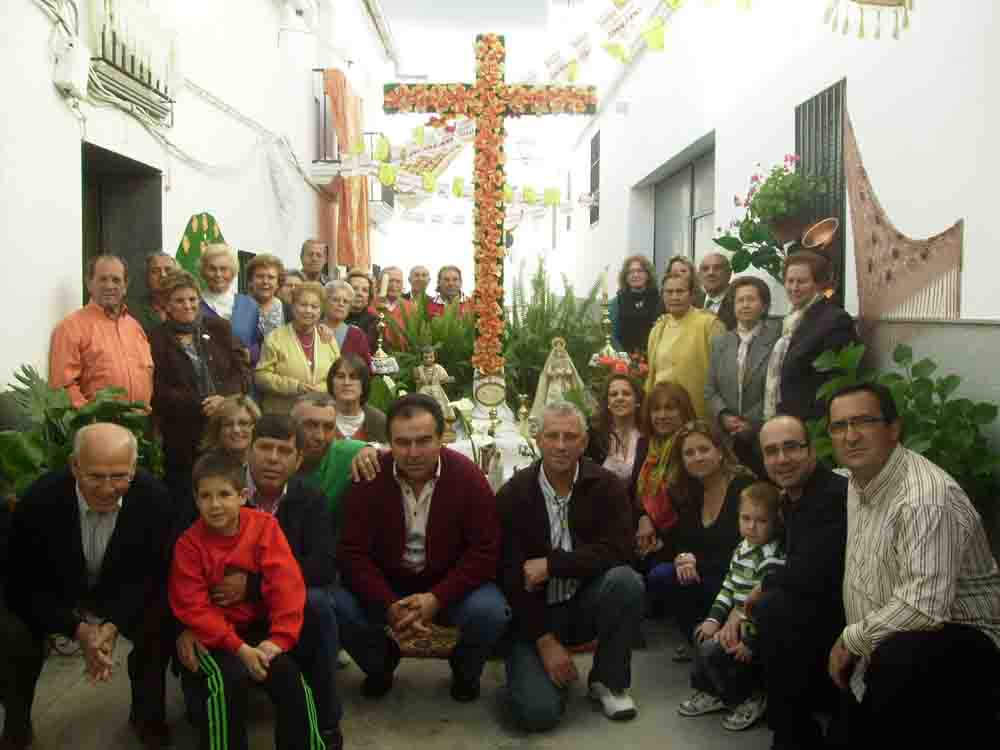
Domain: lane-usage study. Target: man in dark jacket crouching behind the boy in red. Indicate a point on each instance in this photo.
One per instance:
(303, 513)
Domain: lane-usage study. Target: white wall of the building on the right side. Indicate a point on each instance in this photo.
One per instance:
(921, 108)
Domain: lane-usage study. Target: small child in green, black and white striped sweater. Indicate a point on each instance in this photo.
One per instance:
(725, 674)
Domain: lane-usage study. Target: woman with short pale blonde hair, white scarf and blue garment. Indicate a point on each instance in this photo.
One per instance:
(219, 298)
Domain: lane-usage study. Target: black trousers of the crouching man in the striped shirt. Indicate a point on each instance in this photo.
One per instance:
(921, 686)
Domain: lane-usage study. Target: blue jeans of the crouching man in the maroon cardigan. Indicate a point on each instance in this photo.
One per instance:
(481, 617)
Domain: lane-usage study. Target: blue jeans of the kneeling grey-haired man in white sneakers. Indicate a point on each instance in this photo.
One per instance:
(608, 608)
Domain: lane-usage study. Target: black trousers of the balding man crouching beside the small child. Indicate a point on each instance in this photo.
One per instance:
(795, 636)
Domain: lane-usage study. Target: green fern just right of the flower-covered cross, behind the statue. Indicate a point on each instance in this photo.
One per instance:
(532, 324)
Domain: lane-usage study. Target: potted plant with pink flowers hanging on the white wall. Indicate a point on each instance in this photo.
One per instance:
(776, 206)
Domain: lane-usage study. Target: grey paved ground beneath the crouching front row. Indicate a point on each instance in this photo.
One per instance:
(417, 715)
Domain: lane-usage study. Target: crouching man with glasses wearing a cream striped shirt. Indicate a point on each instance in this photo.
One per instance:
(921, 588)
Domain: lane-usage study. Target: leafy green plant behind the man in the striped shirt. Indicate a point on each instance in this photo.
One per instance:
(945, 429)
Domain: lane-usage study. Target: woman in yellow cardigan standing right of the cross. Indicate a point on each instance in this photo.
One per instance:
(680, 344)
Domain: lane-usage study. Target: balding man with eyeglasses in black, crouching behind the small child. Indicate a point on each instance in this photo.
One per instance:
(798, 608)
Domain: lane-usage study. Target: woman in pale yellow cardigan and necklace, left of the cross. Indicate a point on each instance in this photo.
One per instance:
(295, 358)
